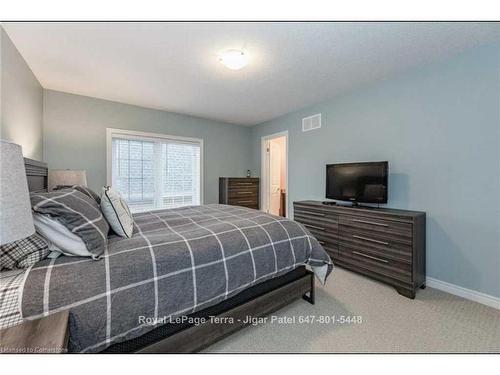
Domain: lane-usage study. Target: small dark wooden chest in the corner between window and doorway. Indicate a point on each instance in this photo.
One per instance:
(239, 191)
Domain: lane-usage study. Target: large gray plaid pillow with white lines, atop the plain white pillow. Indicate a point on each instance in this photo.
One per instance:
(77, 212)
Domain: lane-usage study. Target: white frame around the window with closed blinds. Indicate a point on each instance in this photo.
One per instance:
(146, 136)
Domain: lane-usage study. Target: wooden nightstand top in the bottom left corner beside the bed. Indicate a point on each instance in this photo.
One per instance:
(44, 335)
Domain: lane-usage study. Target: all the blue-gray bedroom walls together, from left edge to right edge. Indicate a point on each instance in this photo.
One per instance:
(439, 127)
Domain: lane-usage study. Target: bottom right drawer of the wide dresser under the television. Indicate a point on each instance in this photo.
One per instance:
(365, 259)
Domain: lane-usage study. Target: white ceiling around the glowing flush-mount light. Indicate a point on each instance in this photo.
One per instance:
(174, 66)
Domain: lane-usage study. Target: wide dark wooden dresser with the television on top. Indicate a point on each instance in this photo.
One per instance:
(386, 244)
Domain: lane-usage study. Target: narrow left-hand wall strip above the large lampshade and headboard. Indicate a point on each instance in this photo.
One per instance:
(21, 101)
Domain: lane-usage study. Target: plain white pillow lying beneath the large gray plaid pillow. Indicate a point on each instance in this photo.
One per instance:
(59, 237)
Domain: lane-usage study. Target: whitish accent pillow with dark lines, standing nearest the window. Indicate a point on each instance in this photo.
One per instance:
(116, 211)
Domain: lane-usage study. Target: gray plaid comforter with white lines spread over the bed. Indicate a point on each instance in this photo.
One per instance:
(177, 262)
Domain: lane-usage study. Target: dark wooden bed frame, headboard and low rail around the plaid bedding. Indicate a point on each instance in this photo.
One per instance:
(229, 316)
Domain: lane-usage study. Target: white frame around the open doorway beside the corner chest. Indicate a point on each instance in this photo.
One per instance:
(264, 171)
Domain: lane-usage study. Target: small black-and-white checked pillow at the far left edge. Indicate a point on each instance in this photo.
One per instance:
(23, 253)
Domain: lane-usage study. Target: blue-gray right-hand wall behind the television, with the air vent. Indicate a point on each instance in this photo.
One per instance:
(439, 127)
